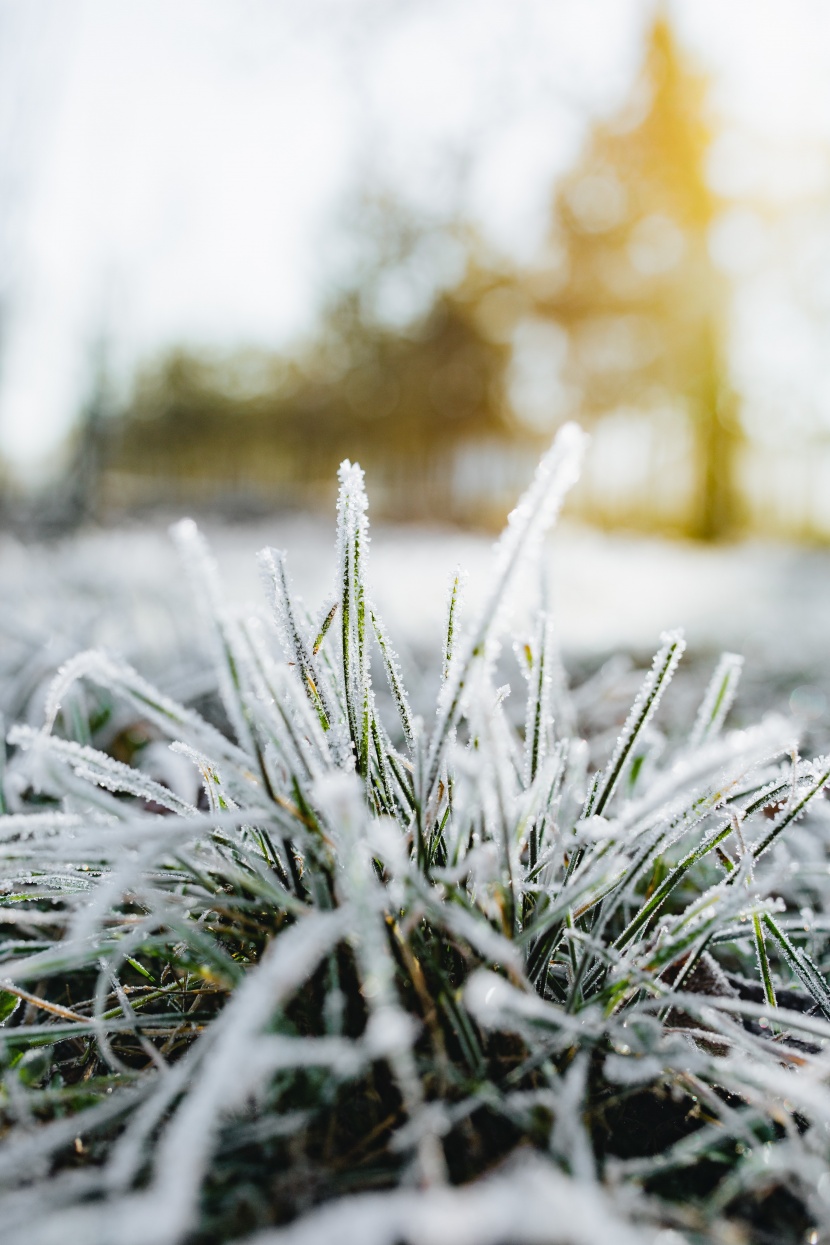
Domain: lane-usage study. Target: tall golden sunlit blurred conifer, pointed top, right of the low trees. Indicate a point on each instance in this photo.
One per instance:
(632, 281)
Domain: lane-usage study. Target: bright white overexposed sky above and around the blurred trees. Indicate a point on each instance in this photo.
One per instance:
(177, 170)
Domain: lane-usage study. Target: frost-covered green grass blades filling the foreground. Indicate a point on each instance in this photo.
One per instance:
(329, 972)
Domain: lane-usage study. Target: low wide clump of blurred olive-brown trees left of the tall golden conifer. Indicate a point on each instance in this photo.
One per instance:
(273, 429)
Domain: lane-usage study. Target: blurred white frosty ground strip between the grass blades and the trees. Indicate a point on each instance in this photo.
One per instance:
(125, 591)
